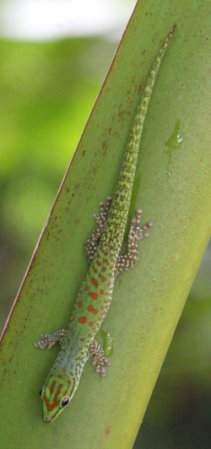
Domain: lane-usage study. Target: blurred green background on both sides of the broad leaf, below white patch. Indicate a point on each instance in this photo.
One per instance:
(47, 89)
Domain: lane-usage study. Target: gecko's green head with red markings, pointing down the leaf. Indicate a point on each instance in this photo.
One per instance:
(56, 394)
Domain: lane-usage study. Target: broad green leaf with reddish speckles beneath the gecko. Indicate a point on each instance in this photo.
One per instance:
(174, 193)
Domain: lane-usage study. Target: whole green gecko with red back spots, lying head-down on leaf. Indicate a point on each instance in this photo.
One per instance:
(95, 294)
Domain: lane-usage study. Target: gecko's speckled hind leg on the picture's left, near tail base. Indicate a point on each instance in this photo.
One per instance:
(101, 218)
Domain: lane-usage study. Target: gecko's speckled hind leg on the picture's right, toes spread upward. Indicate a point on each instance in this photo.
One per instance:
(126, 261)
